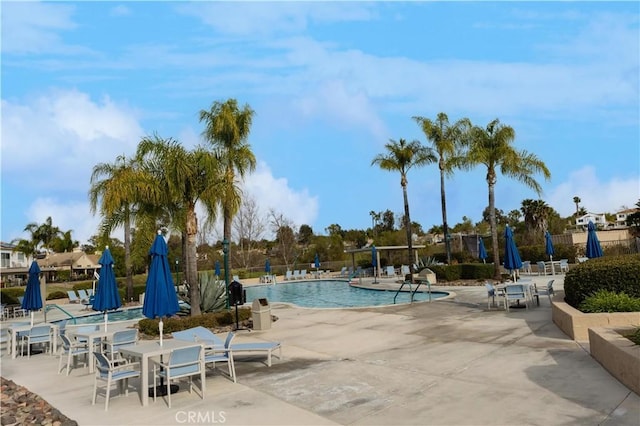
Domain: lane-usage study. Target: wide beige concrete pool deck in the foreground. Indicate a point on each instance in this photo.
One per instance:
(446, 362)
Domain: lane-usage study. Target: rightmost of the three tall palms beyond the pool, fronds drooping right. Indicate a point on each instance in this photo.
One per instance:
(492, 147)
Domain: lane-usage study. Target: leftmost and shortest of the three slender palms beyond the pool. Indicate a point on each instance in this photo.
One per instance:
(401, 157)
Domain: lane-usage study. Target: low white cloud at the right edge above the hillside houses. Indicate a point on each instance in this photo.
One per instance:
(596, 196)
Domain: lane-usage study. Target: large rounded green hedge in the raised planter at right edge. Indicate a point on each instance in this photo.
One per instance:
(618, 274)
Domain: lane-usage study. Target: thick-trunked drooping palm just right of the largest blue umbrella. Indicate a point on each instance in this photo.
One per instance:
(183, 179)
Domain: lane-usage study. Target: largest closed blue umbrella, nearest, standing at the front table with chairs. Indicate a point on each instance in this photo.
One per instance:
(160, 298)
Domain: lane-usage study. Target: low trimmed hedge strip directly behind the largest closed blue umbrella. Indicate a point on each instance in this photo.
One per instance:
(210, 320)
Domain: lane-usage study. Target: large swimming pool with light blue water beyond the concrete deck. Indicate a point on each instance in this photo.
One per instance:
(332, 294)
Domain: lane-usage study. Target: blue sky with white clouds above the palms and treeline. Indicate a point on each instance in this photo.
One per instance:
(330, 84)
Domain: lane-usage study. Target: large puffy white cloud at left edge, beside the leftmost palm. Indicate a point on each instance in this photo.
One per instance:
(61, 135)
